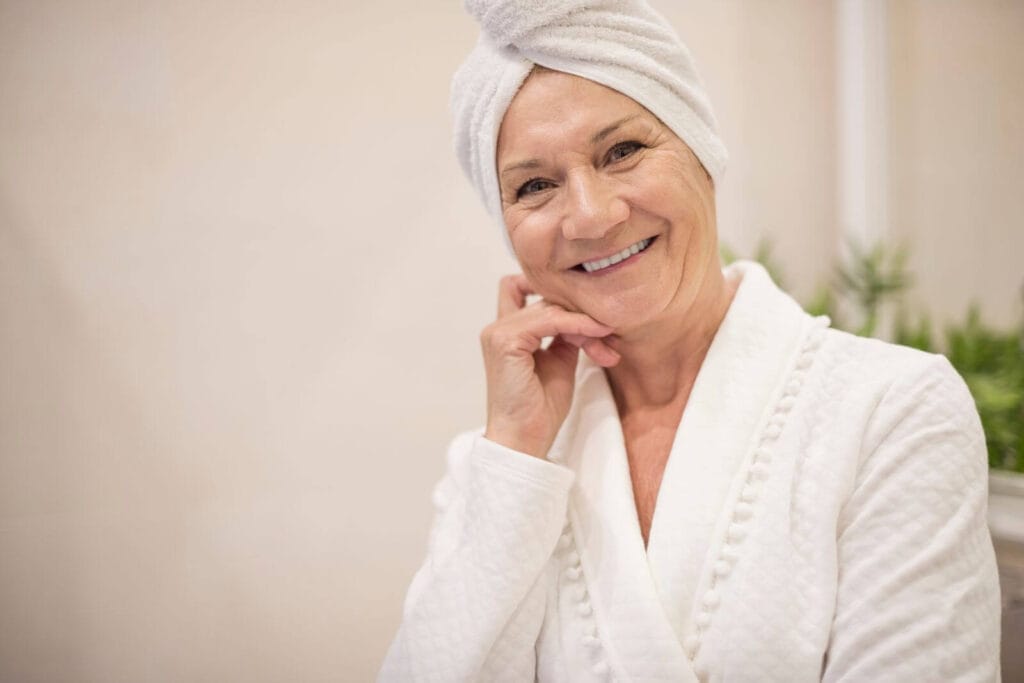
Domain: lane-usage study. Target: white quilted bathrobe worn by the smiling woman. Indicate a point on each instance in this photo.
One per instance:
(822, 518)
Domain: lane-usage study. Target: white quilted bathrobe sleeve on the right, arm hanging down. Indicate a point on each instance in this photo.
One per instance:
(918, 596)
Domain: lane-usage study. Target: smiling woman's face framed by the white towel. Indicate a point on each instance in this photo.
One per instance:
(587, 174)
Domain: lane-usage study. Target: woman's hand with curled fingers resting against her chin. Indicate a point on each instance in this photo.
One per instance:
(530, 390)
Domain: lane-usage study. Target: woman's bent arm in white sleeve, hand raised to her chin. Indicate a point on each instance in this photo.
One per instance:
(476, 608)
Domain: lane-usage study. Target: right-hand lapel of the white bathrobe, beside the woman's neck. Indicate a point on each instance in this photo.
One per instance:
(740, 382)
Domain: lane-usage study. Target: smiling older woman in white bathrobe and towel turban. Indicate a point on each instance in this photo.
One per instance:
(718, 487)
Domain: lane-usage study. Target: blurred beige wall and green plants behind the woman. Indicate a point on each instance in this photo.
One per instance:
(242, 281)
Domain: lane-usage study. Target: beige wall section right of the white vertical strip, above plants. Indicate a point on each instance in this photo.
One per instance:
(957, 160)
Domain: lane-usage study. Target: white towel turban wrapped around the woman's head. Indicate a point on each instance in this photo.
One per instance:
(623, 45)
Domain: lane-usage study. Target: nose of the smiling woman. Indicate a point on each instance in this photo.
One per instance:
(593, 207)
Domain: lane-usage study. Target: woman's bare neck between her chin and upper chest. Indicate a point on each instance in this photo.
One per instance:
(661, 360)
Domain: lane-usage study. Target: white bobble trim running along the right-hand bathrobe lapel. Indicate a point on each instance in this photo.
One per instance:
(757, 472)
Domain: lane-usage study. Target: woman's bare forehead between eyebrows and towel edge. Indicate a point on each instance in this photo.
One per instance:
(558, 107)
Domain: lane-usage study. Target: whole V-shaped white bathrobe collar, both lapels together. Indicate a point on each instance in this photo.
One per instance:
(644, 601)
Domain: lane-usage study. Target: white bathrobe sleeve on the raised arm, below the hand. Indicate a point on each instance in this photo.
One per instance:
(476, 608)
